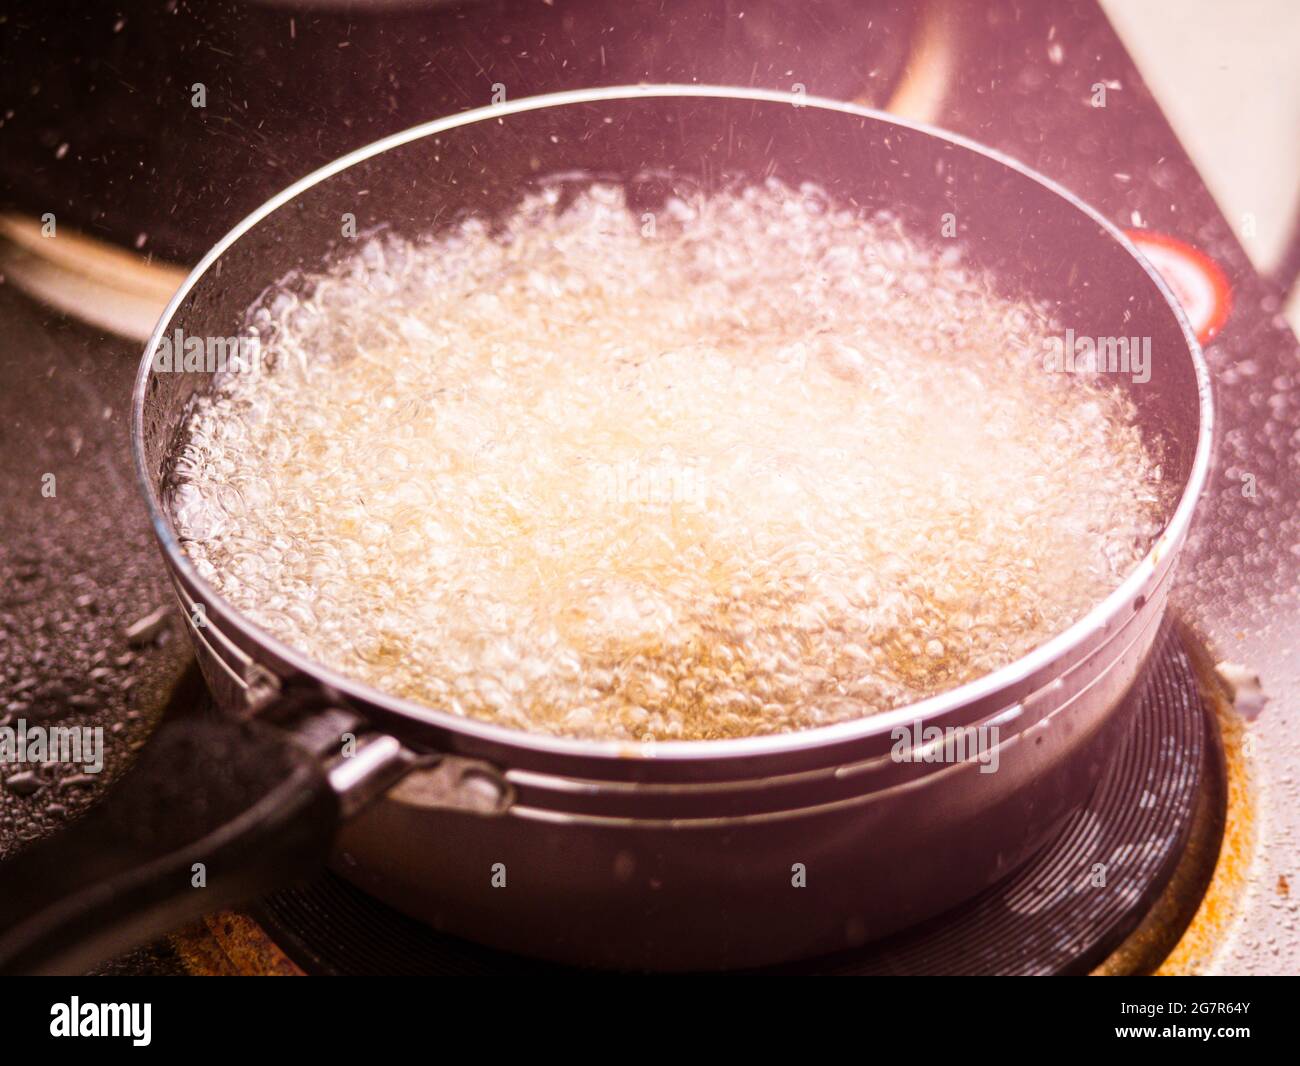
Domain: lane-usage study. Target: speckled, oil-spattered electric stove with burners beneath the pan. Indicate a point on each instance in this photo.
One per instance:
(1197, 822)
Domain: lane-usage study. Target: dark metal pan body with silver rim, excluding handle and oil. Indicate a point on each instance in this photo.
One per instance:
(718, 853)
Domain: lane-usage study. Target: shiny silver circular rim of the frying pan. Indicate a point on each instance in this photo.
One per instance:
(1145, 577)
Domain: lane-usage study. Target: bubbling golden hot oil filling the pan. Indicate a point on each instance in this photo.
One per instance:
(752, 466)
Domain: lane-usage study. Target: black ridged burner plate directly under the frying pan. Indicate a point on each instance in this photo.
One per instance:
(1051, 917)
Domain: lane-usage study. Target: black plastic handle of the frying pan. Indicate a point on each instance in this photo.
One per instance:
(215, 812)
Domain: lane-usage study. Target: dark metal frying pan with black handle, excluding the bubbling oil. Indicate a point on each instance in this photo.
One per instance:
(671, 856)
